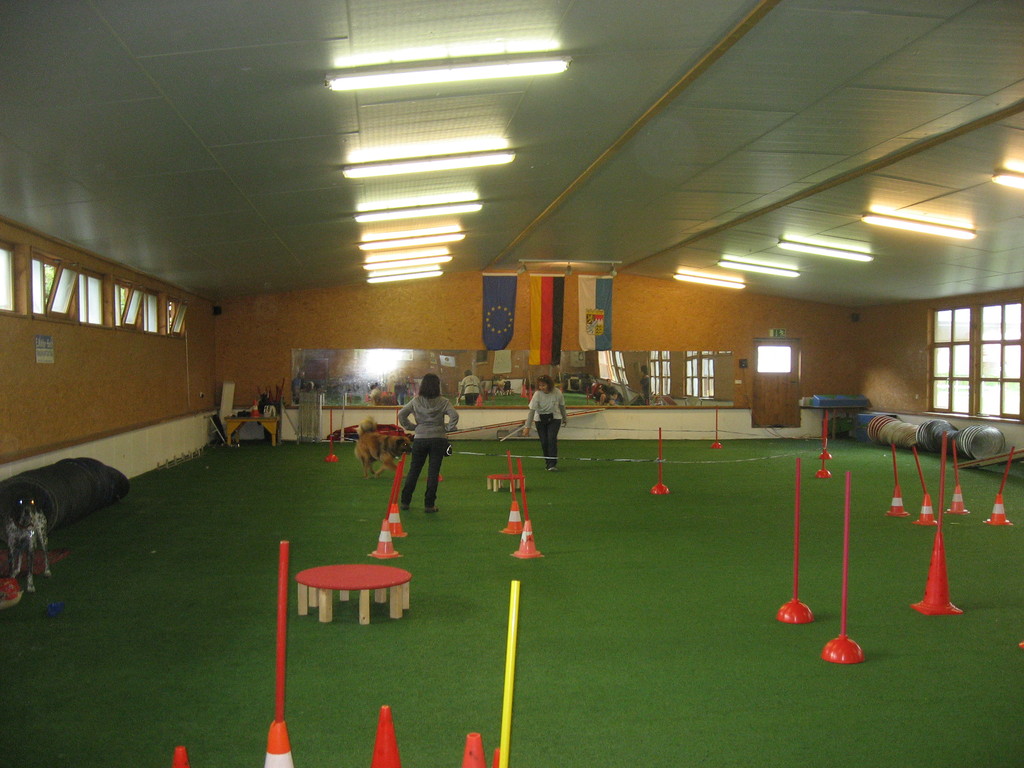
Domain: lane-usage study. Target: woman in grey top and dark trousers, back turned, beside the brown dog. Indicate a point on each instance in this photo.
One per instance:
(434, 418)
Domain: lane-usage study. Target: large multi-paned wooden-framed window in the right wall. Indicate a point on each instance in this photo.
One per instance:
(976, 361)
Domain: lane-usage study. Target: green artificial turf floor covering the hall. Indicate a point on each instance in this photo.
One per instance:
(647, 637)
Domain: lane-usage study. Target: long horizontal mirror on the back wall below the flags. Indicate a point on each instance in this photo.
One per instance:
(391, 377)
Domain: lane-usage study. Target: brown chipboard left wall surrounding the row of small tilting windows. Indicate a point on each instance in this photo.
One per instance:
(103, 380)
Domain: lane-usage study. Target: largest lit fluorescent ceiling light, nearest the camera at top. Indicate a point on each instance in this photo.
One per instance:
(447, 72)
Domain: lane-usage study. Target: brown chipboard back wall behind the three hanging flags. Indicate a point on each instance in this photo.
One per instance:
(255, 335)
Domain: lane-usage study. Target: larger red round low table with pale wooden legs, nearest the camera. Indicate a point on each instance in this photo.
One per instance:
(318, 585)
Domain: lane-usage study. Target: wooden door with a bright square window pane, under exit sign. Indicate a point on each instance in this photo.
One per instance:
(777, 383)
